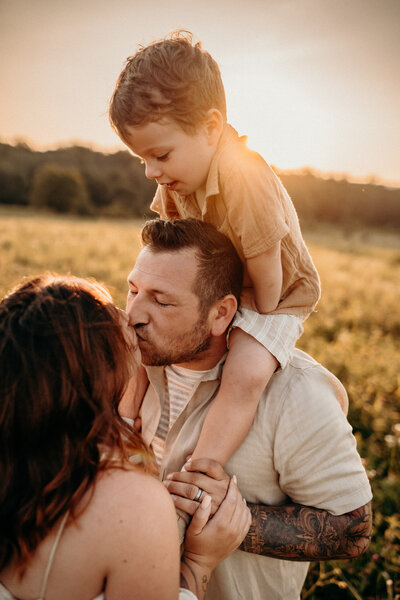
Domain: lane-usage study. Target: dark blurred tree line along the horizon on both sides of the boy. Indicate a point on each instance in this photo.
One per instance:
(78, 180)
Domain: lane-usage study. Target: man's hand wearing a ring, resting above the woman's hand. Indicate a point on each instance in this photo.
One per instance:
(203, 473)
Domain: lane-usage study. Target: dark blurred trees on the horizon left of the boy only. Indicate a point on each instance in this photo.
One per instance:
(74, 180)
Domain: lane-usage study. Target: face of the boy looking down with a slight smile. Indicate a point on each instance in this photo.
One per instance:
(172, 157)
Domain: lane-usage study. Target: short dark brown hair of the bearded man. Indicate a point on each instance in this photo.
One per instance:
(220, 270)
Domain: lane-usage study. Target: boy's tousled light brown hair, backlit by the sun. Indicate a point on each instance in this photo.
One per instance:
(172, 78)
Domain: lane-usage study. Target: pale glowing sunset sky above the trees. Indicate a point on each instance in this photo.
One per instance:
(311, 82)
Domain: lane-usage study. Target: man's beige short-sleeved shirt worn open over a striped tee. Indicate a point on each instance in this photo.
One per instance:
(300, 447)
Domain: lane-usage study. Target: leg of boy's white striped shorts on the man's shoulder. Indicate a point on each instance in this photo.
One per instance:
(277, 333)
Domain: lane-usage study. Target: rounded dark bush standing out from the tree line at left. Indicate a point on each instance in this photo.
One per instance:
(61, 189)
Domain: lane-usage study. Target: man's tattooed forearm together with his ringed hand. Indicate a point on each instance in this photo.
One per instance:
(290, 531)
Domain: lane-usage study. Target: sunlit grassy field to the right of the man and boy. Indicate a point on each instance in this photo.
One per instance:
(355, 333)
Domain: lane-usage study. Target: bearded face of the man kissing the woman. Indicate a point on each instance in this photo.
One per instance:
(165, 311)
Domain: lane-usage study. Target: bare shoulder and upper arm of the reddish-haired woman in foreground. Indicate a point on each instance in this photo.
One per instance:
(133, 513)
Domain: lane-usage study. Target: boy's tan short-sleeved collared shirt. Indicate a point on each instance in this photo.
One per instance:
(246, 201)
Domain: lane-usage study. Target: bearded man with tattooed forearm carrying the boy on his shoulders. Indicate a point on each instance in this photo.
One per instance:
(298, 467)
